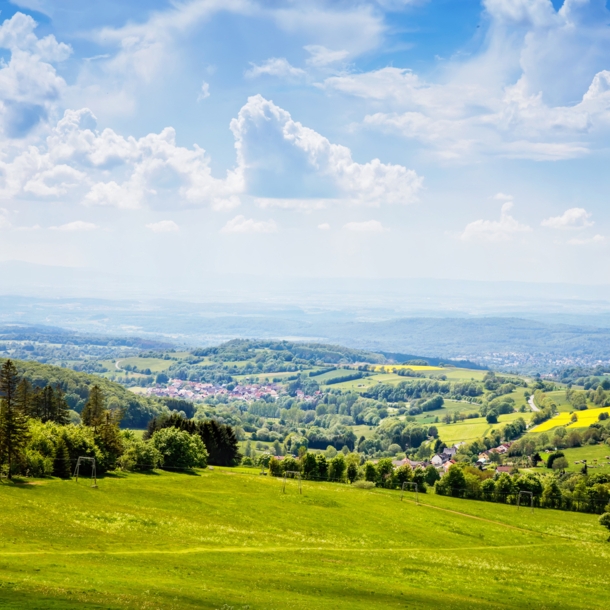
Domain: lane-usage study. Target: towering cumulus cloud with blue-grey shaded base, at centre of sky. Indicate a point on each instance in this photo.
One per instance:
(282, 159)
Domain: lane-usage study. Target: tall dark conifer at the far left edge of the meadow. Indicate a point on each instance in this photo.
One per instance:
(13, 423)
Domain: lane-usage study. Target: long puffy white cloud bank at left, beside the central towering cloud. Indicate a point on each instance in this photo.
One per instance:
(103, 168)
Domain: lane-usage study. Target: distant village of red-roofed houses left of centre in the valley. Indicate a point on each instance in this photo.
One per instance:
(193, 390)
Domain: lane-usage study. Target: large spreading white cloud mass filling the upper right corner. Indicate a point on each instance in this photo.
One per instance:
(539, 88)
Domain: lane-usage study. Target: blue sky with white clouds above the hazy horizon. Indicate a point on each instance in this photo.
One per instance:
(387, 138)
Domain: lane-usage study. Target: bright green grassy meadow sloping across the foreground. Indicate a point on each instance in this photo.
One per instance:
(178, 541)
